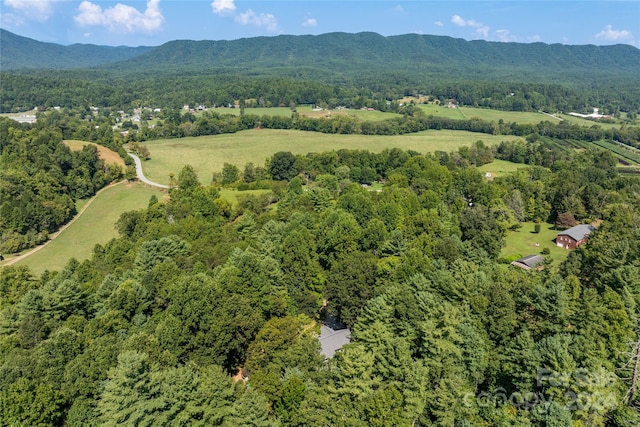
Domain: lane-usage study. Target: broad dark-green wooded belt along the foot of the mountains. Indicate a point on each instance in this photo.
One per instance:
(74, 89)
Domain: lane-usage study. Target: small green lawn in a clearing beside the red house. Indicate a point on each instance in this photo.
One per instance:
(523, 242)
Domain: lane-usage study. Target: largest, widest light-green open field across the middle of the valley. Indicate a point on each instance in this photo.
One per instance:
(207, 154)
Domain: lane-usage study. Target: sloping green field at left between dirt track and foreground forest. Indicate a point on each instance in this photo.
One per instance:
(95, 225)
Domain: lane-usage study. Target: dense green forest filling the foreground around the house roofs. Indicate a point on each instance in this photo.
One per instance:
(151, 328)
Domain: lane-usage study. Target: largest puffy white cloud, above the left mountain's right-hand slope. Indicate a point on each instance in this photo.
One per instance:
(121, 17)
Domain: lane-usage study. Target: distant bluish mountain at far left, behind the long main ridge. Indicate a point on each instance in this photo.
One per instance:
(21, 53)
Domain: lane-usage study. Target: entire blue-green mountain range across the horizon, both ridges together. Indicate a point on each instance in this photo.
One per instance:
(335, 56)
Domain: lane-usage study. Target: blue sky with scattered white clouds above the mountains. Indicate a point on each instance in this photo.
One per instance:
(153, 22)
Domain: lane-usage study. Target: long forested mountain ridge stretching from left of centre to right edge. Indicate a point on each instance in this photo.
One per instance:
(366, 52)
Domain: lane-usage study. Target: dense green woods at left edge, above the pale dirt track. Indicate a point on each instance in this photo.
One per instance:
(40, 180)
